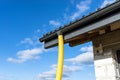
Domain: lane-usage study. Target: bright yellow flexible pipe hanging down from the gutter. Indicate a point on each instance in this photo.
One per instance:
(60, 57)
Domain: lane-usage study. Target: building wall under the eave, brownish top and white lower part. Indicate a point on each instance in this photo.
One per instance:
(104, 55)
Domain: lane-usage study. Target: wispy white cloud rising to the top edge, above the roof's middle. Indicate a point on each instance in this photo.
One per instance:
(81, 7)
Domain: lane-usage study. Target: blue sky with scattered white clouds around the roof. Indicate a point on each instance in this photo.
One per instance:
(23, 22)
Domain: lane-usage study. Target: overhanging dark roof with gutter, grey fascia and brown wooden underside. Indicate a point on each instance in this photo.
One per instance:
(84, 28)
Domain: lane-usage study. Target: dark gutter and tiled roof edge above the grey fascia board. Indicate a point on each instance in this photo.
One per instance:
(88, 18)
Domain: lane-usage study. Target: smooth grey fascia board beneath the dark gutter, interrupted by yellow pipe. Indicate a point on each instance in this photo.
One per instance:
(102, 23)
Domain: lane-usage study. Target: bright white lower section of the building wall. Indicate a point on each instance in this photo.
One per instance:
(104, 69)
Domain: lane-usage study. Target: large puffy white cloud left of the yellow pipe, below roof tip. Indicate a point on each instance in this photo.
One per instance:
(25, 55)
